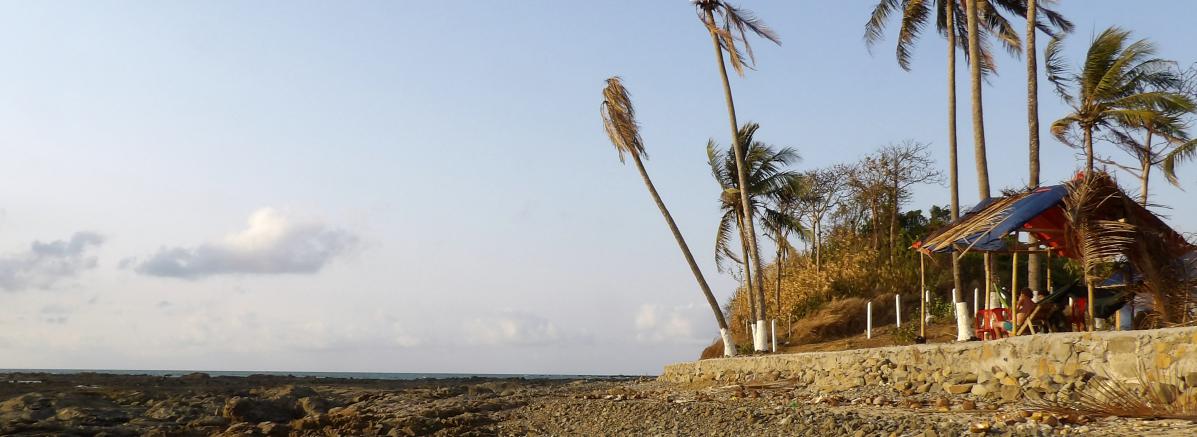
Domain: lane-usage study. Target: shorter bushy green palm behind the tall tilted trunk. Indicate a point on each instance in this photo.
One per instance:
(770, 186)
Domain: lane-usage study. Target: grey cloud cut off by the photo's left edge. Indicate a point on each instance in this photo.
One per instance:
(47, 264)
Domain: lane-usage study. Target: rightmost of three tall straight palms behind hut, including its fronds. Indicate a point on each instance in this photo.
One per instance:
(1034, 10)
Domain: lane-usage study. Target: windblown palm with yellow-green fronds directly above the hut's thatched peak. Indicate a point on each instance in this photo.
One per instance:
(1121, 84)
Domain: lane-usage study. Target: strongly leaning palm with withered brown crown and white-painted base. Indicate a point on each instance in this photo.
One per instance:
(619, 120)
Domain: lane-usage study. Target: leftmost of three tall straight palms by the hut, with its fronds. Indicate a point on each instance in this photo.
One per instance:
(949, 23)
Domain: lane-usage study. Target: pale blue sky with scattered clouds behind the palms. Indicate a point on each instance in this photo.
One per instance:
(427, 187)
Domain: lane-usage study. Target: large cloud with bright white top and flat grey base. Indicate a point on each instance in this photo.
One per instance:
(272, 244)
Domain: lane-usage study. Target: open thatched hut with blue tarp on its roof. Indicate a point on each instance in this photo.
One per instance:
(1091, 221)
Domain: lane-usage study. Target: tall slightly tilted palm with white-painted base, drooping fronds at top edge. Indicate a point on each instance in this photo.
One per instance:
(732, 28)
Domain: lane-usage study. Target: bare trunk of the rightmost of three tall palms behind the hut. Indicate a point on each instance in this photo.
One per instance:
(1035, 269)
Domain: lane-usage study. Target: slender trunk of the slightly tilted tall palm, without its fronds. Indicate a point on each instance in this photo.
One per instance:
(745, 203)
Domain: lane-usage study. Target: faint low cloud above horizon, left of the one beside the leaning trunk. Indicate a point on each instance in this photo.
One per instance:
(517, 329)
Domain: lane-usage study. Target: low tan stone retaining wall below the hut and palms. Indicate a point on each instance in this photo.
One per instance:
(1010, 369)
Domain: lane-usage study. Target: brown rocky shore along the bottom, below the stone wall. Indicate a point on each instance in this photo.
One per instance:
(199, 405)
